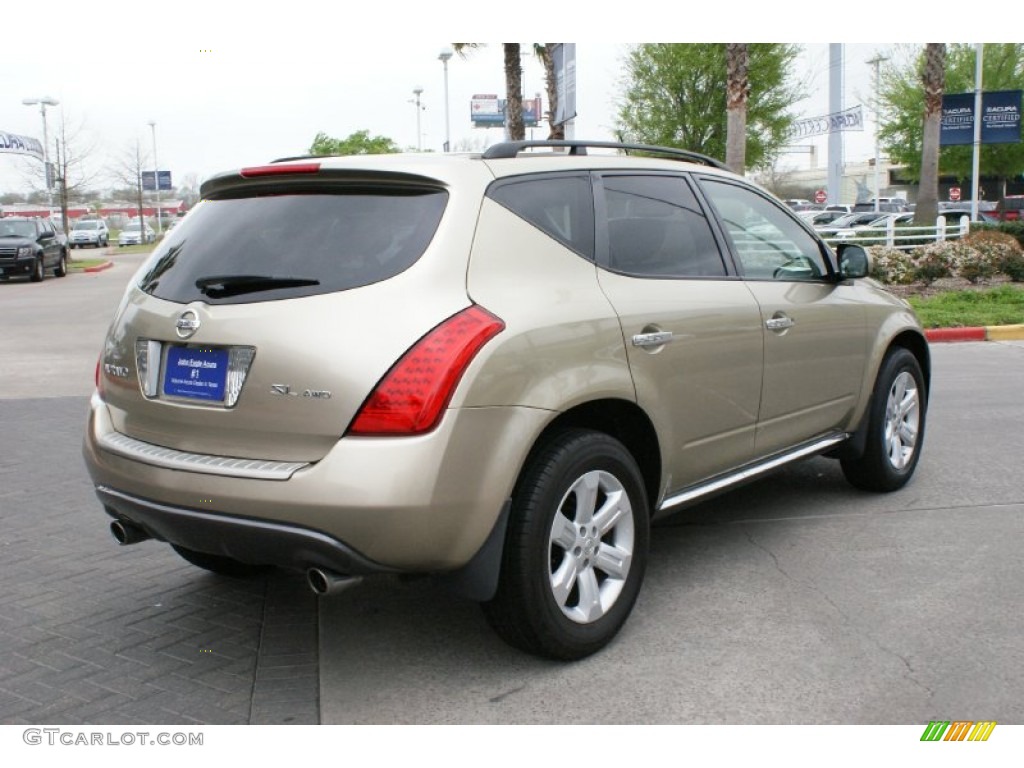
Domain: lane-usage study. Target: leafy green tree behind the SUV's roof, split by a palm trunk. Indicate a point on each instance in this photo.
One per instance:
(675, 96)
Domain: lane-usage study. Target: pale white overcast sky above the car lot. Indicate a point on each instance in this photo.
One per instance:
(242, 88)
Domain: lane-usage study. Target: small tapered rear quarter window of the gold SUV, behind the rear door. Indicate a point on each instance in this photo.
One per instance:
(562, 207)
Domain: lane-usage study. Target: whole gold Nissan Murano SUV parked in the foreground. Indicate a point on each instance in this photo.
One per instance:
(497, 369)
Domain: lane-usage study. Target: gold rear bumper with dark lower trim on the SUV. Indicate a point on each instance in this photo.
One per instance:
(424, 504)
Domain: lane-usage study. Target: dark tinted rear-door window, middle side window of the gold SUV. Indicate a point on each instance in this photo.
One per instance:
(657, 229)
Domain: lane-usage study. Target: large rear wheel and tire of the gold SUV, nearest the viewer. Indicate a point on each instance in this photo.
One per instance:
(576, 550)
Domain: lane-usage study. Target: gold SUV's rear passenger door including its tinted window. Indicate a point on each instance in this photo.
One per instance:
(693, 330)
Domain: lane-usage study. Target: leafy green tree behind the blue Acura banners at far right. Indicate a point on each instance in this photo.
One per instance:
(903, 100)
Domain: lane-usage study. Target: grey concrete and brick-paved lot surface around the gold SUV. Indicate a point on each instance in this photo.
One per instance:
(794, 601)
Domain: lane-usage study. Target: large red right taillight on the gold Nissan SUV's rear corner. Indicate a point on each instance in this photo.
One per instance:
(412, 396)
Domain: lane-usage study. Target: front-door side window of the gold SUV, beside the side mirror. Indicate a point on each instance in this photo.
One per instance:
(770, 244)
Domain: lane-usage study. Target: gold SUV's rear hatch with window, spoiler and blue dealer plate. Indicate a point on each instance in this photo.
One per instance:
(265, 321)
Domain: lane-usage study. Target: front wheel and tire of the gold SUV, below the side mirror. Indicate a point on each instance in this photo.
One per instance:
(897, 426)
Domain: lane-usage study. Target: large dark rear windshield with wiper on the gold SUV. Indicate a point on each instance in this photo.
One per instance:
(244, 250)
